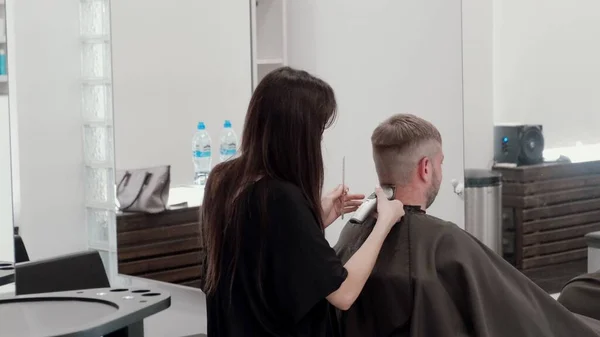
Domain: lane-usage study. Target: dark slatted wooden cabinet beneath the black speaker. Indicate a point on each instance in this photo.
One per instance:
(547, 210)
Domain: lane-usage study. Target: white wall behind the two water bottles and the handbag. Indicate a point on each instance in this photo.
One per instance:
(176, 63)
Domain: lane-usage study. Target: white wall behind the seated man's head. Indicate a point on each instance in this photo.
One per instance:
(382, 58)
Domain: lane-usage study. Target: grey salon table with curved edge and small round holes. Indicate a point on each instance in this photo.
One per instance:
(108, 312)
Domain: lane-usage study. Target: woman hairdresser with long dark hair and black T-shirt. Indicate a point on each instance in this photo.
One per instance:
(270, 271)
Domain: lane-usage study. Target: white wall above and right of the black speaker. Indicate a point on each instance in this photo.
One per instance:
(547, 67)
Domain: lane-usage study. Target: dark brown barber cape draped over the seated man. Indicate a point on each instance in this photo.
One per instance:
(432, 279)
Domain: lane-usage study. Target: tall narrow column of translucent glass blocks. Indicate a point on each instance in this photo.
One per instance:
(98, 136)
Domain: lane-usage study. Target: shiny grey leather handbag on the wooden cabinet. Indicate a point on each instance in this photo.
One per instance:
(144, 190)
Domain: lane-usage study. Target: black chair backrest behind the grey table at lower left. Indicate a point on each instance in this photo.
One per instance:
(78, 271)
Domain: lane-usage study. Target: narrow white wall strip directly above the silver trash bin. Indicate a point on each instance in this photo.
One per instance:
(478, 82)
